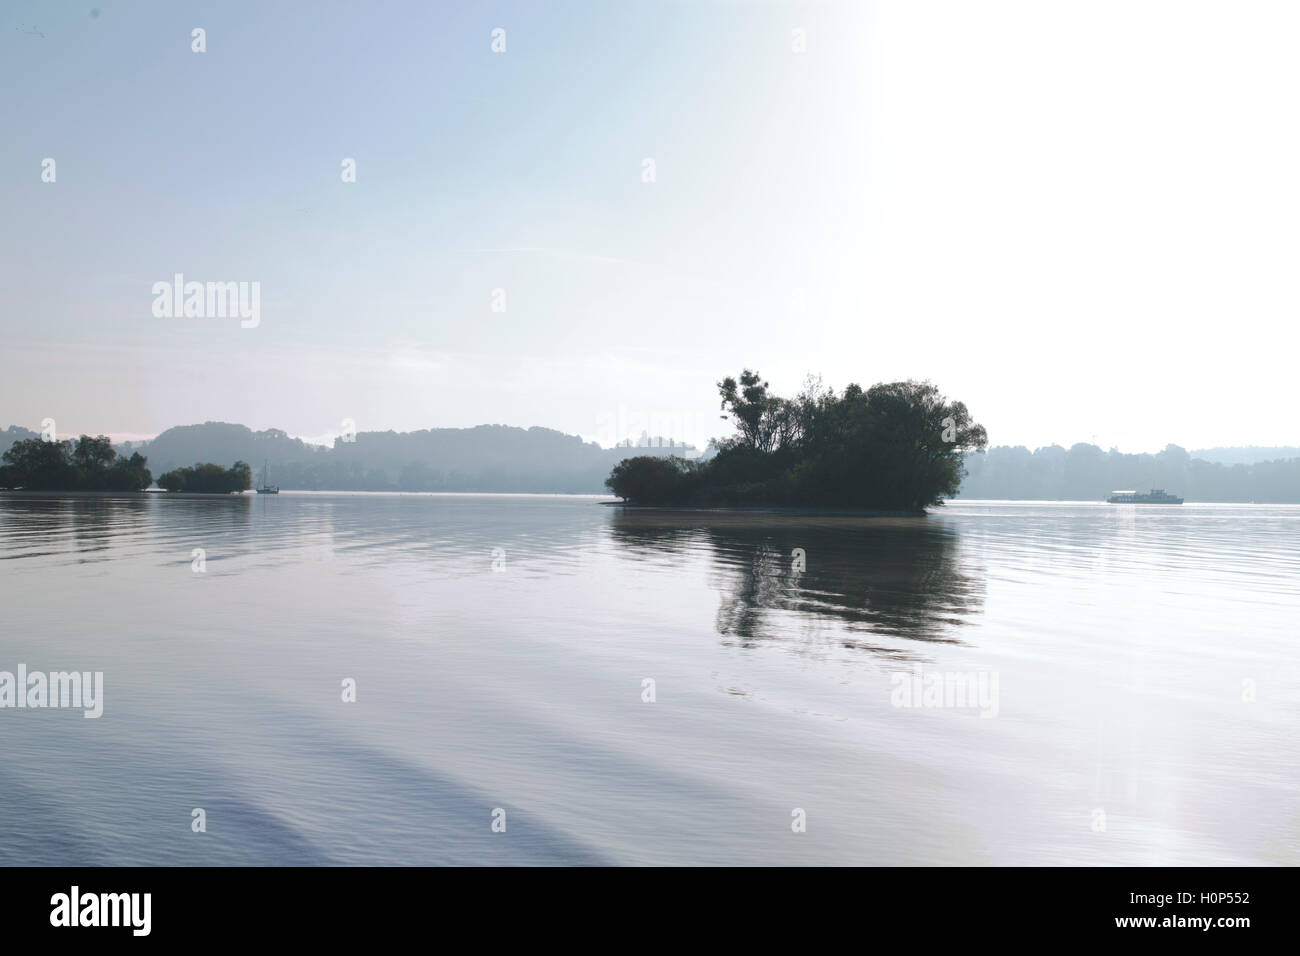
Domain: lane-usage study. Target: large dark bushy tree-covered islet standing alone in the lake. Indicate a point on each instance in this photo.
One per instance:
(895, 447)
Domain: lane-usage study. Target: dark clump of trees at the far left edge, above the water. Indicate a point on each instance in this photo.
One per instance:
(88, 465)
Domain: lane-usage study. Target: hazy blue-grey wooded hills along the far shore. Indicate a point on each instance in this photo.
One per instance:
(504, 458)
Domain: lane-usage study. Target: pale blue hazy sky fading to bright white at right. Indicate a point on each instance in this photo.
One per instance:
(1078, 218)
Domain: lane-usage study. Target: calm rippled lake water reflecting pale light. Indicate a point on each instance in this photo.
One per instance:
(553, 681)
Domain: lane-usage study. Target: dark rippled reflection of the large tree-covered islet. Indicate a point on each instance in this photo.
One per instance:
(868, 582)
